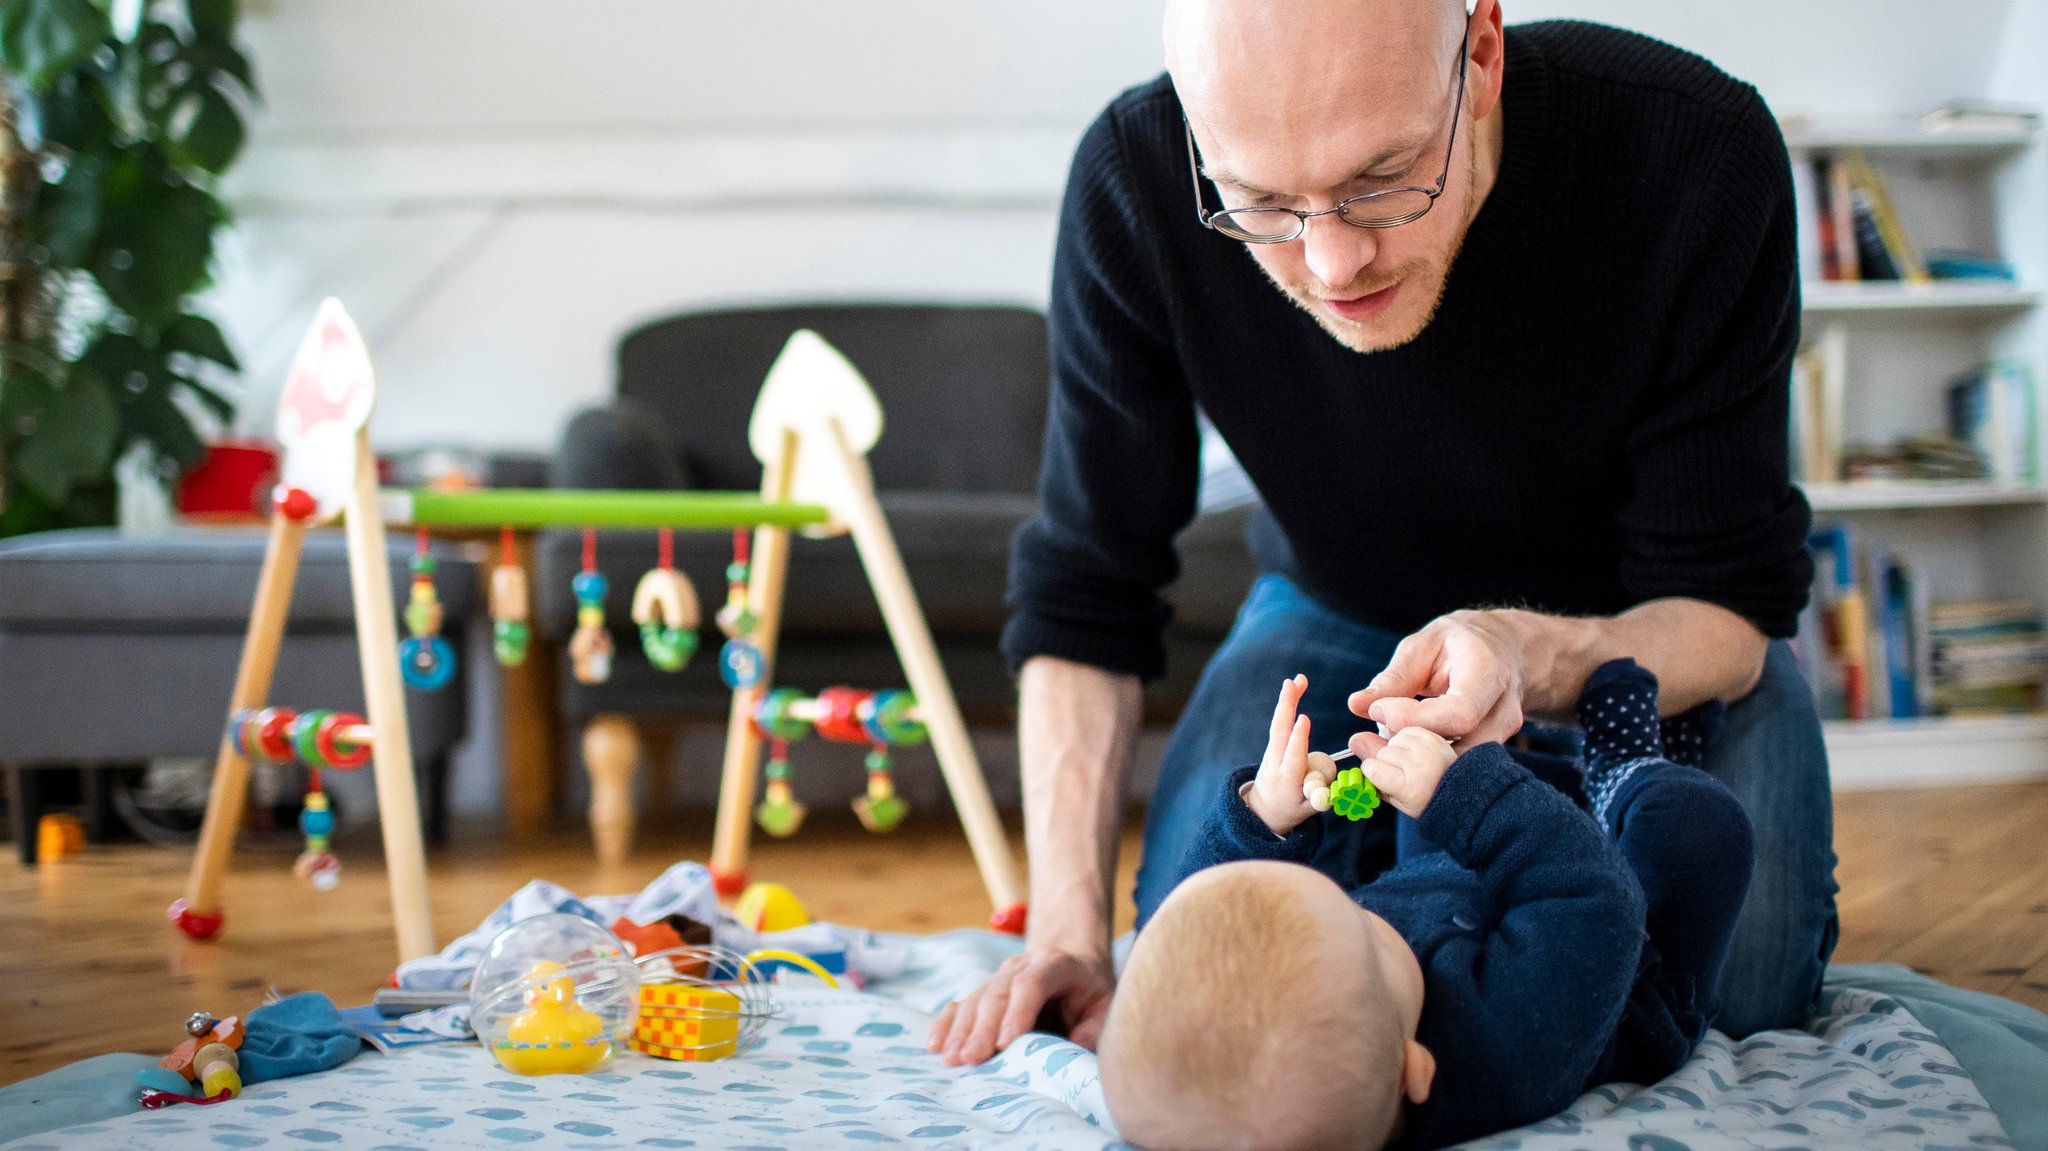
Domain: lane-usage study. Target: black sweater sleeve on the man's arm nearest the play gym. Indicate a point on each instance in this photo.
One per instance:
(1121, 445)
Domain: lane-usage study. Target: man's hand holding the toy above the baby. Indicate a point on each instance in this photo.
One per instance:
(1469, 665)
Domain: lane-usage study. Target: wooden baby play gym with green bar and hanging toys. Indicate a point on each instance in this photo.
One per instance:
(812, 429)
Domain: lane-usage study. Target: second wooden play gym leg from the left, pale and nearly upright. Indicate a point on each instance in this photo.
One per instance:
(398, 802)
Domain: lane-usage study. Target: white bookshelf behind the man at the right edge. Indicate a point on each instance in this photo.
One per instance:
(1983, 191)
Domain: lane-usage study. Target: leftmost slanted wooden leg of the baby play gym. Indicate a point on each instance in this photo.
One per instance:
(198, 914)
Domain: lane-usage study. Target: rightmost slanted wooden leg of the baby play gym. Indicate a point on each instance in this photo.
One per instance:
(929, 683)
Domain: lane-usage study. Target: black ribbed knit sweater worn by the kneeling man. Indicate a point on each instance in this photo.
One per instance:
(1594, 419)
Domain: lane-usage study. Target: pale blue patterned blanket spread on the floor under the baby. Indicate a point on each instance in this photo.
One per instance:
(1893, 1060)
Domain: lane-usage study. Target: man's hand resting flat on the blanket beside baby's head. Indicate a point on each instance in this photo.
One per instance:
(1009, 1005)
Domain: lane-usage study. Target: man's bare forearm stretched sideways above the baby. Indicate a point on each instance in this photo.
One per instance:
(1697, 650)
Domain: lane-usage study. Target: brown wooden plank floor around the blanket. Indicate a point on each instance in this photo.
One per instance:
(1953, 884)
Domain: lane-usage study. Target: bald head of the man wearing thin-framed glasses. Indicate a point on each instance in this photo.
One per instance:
(1308, 103)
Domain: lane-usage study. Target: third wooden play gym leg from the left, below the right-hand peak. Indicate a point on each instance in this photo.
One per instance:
(742, 747)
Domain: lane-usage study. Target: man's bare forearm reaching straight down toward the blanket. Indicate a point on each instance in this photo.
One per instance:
(1076, 736)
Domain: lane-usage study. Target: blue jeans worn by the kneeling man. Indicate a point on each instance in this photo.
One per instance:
(1768, 753)
